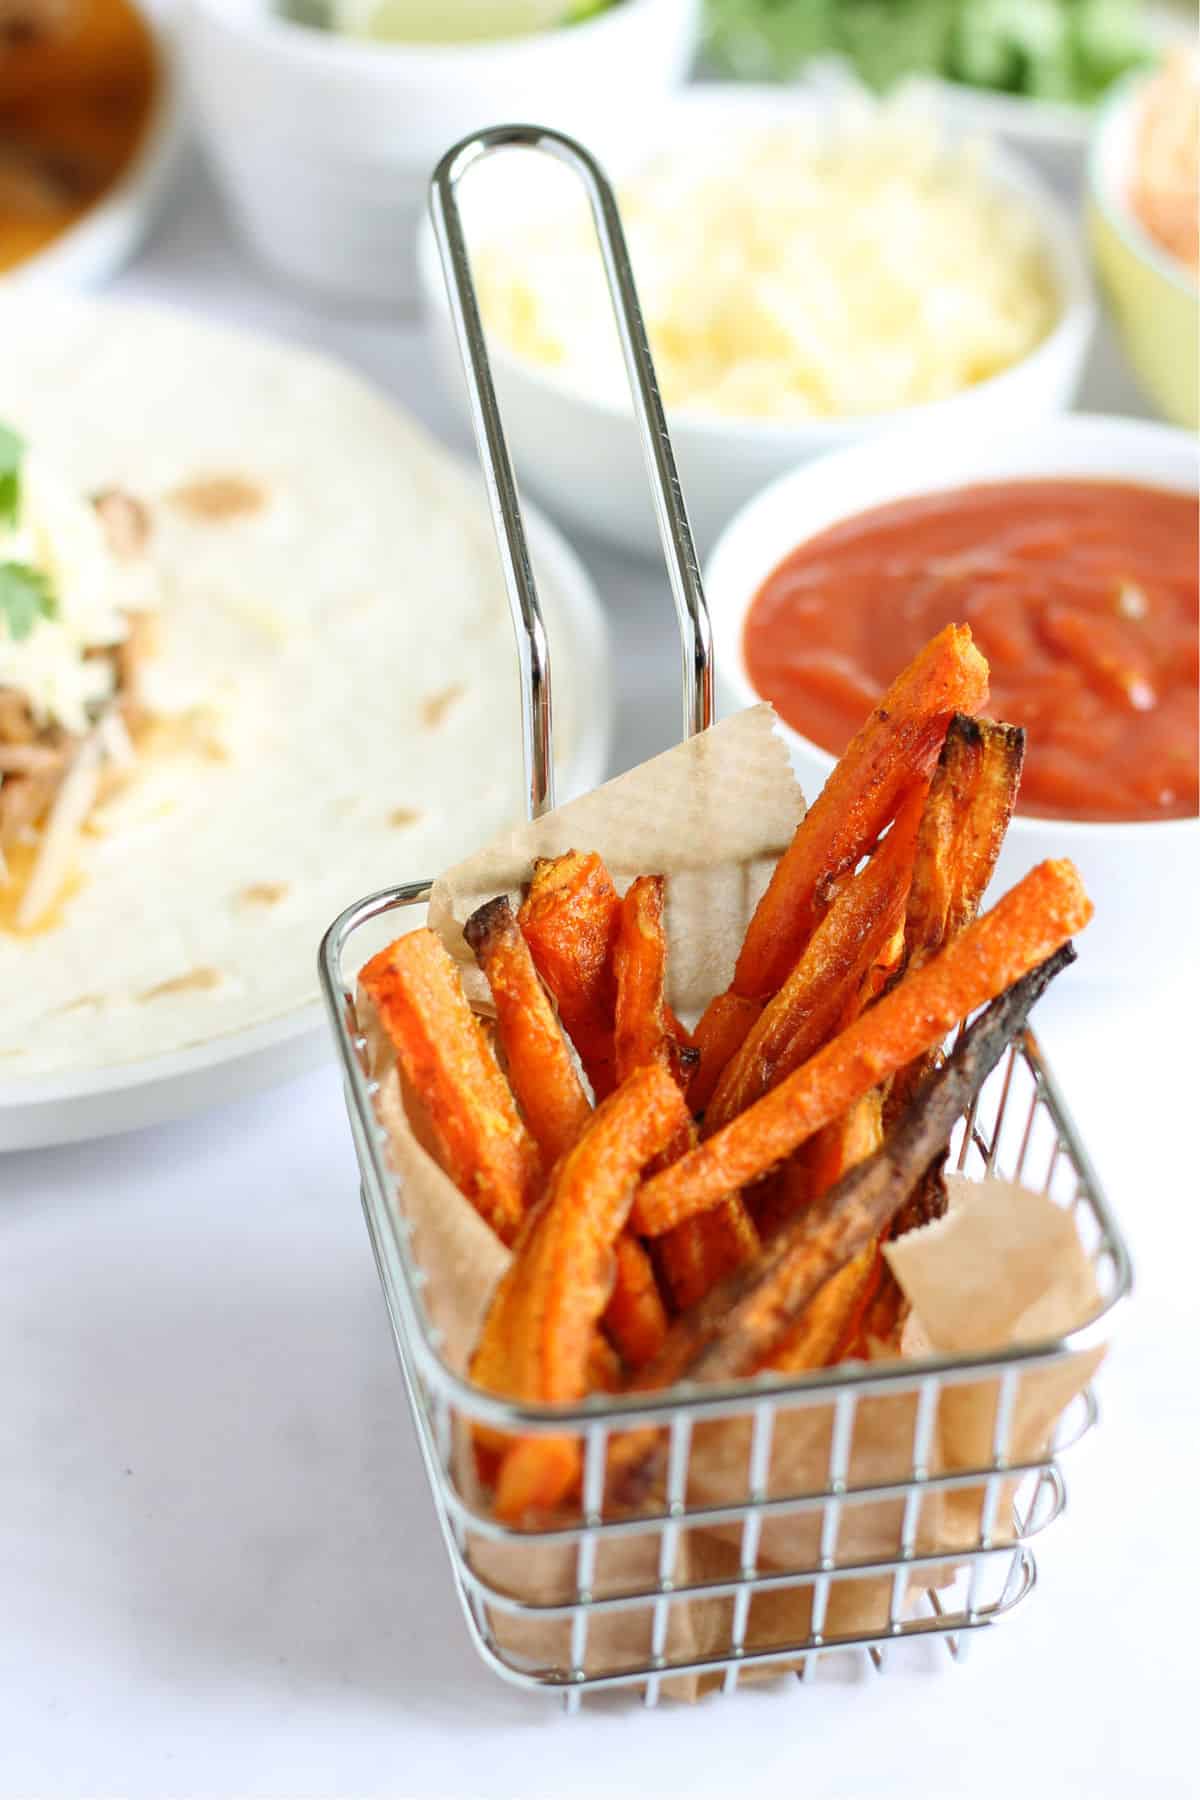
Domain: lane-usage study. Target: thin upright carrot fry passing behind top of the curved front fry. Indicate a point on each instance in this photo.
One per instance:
(703, 1250)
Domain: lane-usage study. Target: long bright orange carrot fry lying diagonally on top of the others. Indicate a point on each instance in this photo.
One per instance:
(1021, 931)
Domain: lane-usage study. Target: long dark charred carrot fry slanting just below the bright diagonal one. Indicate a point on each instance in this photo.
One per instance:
(746, 1318)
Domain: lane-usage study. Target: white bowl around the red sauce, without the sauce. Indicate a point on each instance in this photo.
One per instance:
(1142, 877)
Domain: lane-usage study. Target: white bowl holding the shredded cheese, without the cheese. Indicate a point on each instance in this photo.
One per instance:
(580, 453)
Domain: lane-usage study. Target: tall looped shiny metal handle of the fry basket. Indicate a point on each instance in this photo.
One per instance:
(503, 498)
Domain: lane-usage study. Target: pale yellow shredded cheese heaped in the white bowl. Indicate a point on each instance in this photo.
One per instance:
(801, 273)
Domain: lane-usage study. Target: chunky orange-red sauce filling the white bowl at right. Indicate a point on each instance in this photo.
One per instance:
(1082, 595)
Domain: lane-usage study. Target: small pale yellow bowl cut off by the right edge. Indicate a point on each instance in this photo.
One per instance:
(1152, 296)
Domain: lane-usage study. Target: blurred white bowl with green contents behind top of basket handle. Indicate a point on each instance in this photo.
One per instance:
(325, 145)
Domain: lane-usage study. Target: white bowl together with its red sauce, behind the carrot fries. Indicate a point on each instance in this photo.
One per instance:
(1080, 593)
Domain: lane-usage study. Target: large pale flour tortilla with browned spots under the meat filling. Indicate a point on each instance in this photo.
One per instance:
(337, 640)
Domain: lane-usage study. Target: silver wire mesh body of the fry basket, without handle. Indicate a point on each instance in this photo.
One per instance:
(688, 1592)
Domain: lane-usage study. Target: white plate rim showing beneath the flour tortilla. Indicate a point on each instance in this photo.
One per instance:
(96, 1102)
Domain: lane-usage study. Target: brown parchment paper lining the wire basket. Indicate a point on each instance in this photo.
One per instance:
(1005, 1266)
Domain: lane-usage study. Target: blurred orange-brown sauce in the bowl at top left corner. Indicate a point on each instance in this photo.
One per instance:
(76, 100)
